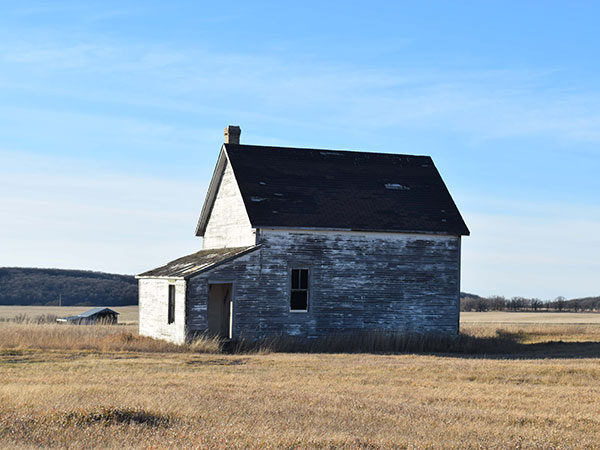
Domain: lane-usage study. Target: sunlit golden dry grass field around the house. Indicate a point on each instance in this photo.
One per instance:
(82, 387)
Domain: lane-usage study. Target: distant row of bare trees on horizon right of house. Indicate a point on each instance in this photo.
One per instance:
(471, 302)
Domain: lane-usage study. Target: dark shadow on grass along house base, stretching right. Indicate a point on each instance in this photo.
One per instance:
(502, 346)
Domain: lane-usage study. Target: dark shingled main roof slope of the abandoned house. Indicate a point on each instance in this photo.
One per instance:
(308, 188)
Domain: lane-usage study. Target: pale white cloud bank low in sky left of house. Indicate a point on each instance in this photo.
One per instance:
(62, 211)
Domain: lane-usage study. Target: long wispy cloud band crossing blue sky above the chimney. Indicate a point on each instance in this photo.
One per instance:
(484, 104)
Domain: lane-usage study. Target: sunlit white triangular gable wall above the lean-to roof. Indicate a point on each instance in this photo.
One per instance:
(228, 224)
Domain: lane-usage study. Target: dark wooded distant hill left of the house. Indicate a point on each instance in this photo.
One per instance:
(27, 286)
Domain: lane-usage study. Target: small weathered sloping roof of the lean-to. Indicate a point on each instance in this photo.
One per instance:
(197, 262)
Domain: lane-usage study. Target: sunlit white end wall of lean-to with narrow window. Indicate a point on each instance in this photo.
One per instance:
(153, 309)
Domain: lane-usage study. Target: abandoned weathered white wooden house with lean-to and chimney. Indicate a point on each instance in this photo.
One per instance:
(309, 242)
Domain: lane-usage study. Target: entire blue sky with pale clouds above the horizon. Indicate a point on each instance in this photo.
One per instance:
(112, 113)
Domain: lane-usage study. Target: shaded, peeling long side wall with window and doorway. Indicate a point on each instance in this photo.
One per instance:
(366, 281)
